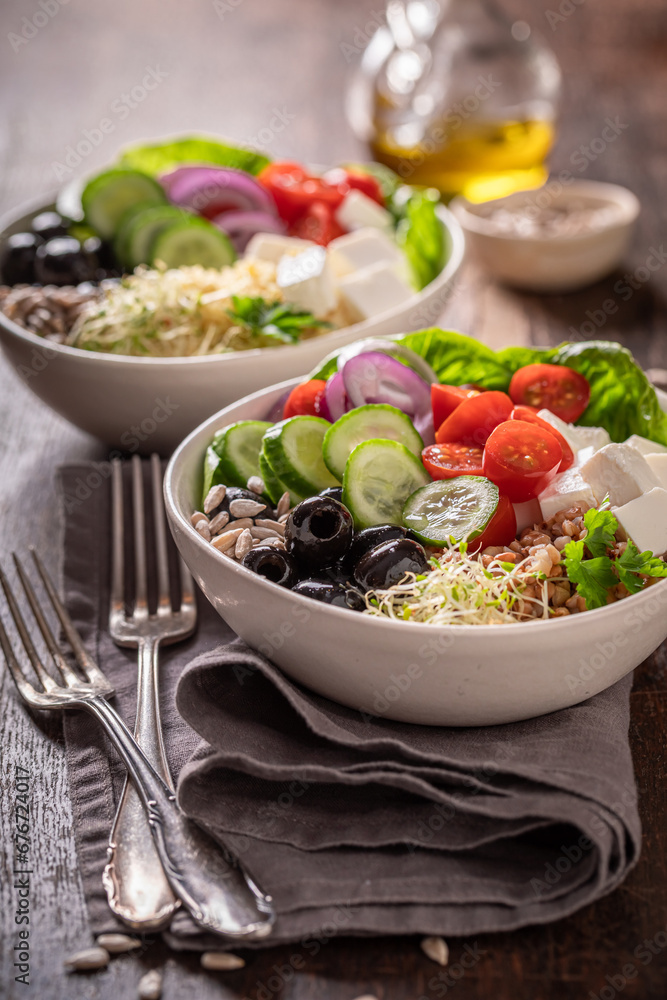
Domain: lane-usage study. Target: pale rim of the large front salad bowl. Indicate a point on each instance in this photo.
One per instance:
(268, 587)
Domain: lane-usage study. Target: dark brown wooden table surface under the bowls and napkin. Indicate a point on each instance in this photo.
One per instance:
(229, 67)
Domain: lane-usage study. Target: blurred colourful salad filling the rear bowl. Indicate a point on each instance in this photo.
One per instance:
(195, 247)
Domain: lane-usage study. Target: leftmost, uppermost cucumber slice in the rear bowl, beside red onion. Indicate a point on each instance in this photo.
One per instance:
(107, 197)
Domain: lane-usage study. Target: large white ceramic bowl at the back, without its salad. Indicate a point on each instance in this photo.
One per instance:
(150, 404)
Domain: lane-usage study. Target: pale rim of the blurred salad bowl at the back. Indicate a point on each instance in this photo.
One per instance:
(330, 340)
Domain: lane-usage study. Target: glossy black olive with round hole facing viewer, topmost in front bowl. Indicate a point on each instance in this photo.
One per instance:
(318, 532)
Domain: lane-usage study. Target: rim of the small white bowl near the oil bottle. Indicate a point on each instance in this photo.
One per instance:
(616, 194)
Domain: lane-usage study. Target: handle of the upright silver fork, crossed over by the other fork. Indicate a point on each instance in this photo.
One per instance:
(136, 885)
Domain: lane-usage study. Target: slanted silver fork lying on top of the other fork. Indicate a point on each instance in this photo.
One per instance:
(218, 894)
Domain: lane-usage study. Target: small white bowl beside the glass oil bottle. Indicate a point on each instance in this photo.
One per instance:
(554, 263)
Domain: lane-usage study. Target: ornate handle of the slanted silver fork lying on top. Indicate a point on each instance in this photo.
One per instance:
(219, 895)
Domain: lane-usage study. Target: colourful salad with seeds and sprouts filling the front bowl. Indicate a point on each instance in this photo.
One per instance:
(535, 489)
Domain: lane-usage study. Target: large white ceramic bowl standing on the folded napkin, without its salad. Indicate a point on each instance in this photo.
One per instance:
(462, 675)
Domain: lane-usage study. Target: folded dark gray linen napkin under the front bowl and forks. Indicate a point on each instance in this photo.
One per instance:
(361, 826)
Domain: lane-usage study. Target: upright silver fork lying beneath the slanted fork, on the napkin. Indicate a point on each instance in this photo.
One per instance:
(137, 888)
